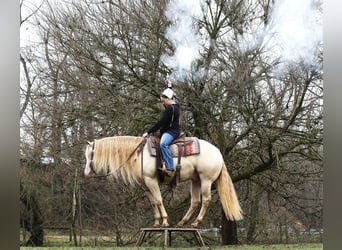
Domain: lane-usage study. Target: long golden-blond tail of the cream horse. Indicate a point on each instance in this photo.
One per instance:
(229, 200)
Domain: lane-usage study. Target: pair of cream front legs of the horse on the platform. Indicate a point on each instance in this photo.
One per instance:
(157, 202)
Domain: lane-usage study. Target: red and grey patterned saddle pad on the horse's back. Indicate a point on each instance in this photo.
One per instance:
(191, 148)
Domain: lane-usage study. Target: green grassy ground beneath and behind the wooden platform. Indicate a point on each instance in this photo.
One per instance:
(54, 240)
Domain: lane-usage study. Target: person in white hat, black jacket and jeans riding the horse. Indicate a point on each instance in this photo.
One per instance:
(168, 125)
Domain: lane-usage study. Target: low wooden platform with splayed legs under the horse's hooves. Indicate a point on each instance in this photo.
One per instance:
(146, 233)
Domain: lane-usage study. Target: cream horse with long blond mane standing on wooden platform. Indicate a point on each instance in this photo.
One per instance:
(121, 157)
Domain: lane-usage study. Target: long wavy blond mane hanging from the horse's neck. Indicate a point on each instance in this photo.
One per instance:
(118, 157)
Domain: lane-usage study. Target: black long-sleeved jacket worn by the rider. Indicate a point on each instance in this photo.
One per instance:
(169, 121)
